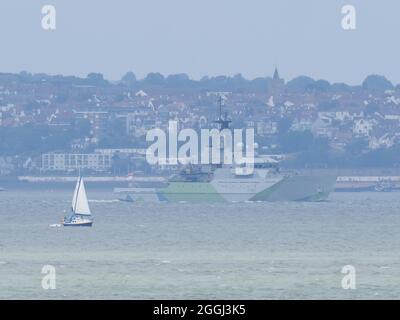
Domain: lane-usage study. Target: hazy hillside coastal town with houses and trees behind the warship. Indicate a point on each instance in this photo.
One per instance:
(61, 124)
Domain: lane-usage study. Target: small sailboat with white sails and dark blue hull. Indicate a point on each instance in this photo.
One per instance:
(80, 212)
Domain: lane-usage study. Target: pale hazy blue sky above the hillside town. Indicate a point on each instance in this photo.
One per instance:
(203, 37)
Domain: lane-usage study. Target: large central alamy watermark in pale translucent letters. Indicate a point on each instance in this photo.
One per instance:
(212, 147)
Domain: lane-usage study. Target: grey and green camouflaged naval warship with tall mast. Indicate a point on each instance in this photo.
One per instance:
(230, 183)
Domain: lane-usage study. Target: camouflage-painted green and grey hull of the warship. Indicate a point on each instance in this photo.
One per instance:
(308, 188)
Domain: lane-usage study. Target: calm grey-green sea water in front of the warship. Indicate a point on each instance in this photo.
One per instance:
(170, 251)
